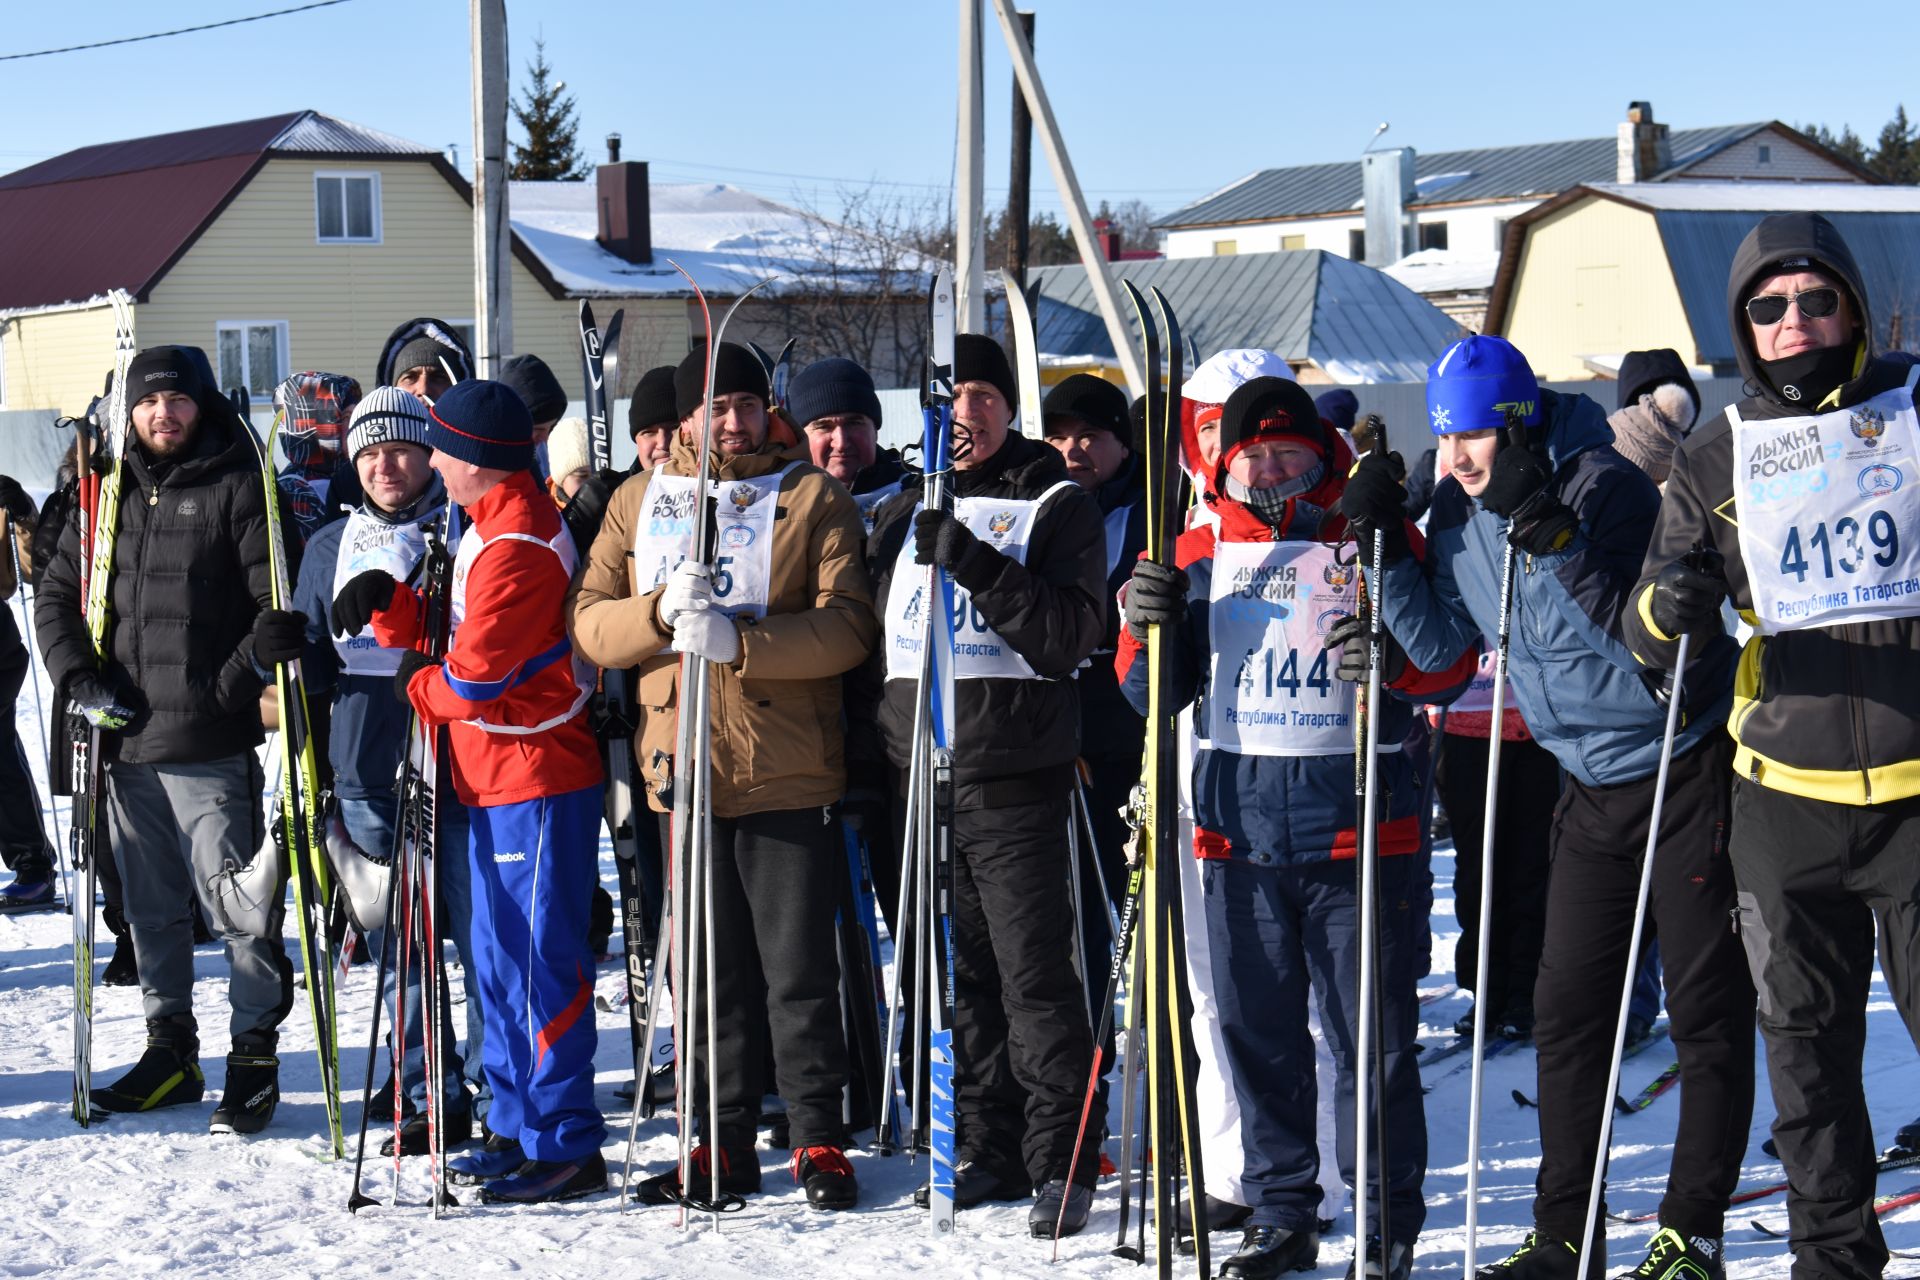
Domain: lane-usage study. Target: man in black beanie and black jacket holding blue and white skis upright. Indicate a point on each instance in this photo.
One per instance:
(1028, 559)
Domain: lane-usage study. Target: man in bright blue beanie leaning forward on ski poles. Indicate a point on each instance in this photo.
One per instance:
(1535, 475)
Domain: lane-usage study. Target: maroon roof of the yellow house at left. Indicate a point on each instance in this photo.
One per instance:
(122, 214)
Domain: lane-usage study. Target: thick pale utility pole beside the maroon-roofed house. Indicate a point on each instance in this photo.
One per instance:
(492, 237)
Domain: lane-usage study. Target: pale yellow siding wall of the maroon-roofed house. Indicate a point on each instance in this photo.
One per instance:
(260, 262)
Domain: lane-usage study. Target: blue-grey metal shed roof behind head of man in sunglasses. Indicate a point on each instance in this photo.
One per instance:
(1700, 250)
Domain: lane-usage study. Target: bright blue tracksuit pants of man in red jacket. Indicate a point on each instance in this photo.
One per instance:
(535, 866)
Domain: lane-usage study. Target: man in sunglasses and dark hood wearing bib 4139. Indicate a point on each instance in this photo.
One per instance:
(1808, 492)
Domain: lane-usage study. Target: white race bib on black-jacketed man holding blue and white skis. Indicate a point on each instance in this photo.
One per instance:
(980, 652)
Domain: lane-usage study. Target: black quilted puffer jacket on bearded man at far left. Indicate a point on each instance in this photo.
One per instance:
(189, 577)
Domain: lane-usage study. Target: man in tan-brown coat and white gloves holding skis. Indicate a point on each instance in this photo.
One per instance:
(782, 613)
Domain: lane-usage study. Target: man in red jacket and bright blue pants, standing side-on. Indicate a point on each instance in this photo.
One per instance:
(514, 698)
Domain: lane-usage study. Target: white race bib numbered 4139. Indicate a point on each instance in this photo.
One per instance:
(1829, 513)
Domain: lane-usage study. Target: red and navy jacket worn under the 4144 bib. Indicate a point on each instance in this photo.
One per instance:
(1284, 811)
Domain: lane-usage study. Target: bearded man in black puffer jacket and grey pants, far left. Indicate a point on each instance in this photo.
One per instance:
(178, 701)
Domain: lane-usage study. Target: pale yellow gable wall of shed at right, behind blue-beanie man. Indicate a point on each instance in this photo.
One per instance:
(1595, 281)
